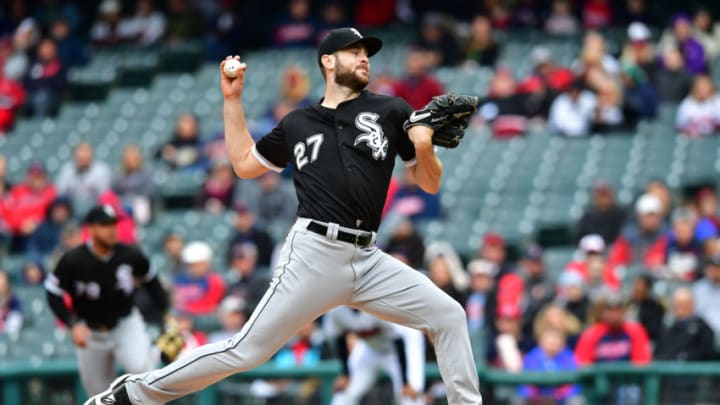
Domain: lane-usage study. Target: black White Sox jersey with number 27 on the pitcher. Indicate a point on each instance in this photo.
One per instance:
(342, 158)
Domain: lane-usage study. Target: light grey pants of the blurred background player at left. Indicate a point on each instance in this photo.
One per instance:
(127, 343)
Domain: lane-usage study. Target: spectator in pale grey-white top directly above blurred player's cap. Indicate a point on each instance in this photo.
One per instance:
(84, 179)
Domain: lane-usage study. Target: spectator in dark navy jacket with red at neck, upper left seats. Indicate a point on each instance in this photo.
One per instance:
(46, 80)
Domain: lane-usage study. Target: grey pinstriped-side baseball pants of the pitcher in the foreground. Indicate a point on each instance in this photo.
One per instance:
(314, 274)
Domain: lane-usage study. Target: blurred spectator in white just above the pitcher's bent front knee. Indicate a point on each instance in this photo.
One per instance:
(446, 271)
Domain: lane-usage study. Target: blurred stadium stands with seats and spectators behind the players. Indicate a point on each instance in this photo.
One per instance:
(582, 202)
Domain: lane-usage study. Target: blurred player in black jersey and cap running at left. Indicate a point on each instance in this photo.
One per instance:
(100, 277)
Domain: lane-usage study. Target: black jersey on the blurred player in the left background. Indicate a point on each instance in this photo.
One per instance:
(101, 288)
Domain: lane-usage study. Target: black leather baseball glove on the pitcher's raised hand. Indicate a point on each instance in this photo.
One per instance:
(448, 115)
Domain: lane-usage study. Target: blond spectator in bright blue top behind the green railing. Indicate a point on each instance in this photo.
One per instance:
(552, 354)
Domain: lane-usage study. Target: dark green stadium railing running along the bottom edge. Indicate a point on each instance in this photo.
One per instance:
(597, 381)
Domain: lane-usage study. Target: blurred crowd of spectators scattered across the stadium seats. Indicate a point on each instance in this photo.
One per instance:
(603, 305)
